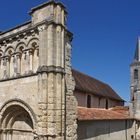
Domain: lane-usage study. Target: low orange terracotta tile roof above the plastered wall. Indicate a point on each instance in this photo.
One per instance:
(102, 114)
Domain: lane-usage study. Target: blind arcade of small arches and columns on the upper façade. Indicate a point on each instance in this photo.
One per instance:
(19, 60)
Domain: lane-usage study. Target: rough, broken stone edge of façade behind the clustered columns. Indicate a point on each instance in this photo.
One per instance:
(71, 102)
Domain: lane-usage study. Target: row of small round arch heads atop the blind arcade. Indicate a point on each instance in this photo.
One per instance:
(20, 47)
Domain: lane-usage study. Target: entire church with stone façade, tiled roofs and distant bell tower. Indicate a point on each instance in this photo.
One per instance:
(43, 98)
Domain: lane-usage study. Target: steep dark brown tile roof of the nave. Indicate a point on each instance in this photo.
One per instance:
(89, 84)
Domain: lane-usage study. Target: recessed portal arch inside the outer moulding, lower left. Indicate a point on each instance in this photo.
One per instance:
(16, 123)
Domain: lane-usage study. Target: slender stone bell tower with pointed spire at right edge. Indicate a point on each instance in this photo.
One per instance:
(135, 83)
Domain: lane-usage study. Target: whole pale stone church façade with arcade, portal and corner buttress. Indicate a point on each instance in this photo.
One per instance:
(36, 78)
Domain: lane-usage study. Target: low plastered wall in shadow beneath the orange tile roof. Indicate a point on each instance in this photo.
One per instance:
(106, 130)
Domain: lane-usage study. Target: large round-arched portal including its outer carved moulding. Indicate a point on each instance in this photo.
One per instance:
(17, 120)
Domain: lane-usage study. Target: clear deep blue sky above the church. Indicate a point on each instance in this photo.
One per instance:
(105, 35)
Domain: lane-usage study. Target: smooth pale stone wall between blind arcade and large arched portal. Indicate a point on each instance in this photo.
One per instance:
(25, 89)
